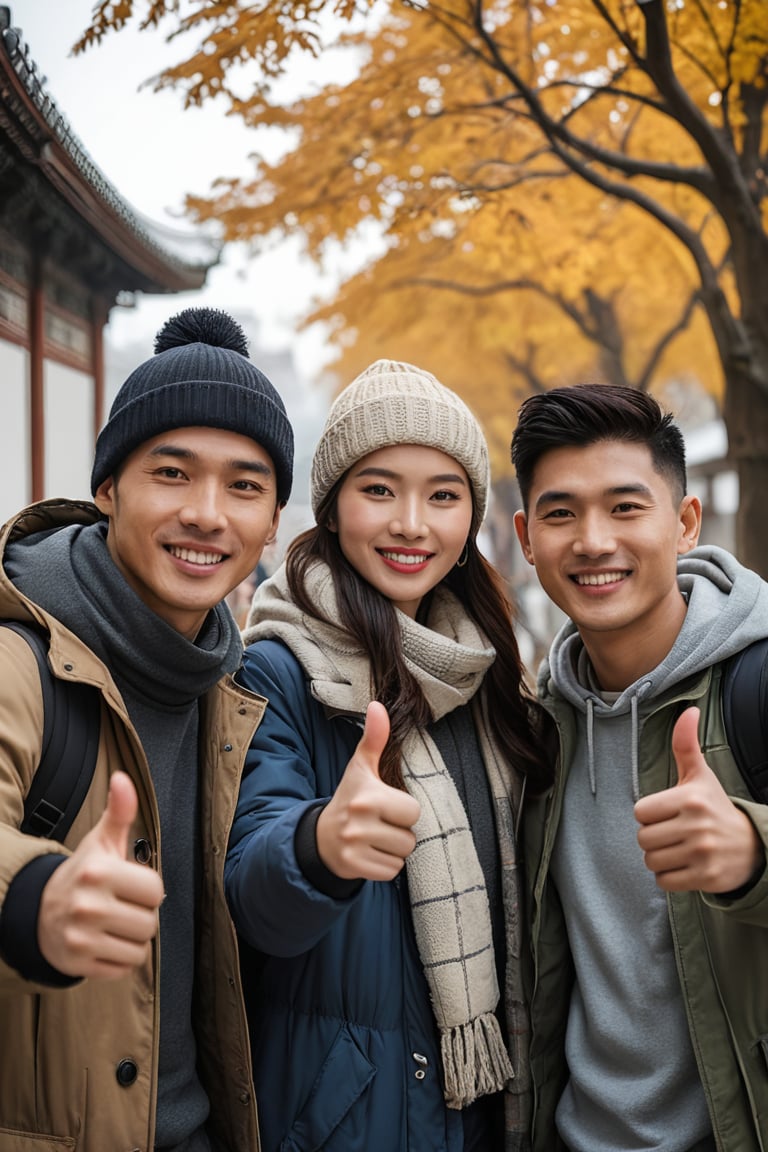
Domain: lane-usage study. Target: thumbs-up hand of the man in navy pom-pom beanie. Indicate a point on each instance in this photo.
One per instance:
(98, 911)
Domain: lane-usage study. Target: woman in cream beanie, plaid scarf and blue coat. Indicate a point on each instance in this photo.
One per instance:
(372, 863)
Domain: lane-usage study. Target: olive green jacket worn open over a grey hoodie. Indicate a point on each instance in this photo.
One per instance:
(721, 945)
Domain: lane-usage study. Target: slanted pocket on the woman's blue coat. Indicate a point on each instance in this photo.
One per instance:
(343, 1080)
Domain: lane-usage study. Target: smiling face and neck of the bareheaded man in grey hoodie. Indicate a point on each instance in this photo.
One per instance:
(605, 530)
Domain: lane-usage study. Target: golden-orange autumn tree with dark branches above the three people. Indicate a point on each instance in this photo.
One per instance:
(562, 190)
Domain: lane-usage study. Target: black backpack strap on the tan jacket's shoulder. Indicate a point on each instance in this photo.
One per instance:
(71, 744)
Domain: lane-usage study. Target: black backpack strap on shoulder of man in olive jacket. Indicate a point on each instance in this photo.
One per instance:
(746, 714)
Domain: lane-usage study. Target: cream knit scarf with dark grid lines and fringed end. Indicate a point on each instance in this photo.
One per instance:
(452, 919)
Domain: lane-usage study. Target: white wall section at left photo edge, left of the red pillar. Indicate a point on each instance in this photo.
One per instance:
(14, 429)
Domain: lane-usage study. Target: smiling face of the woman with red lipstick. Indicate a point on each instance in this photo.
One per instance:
(404, 516)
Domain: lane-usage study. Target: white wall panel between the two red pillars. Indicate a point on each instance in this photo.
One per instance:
(69, 431)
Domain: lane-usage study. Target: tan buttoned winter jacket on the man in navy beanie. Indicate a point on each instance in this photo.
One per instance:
(65, 1052)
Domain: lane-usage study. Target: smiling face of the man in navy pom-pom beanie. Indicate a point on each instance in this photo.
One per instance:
(189, 517)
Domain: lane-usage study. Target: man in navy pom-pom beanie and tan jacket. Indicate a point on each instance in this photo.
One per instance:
(121, 1012)
